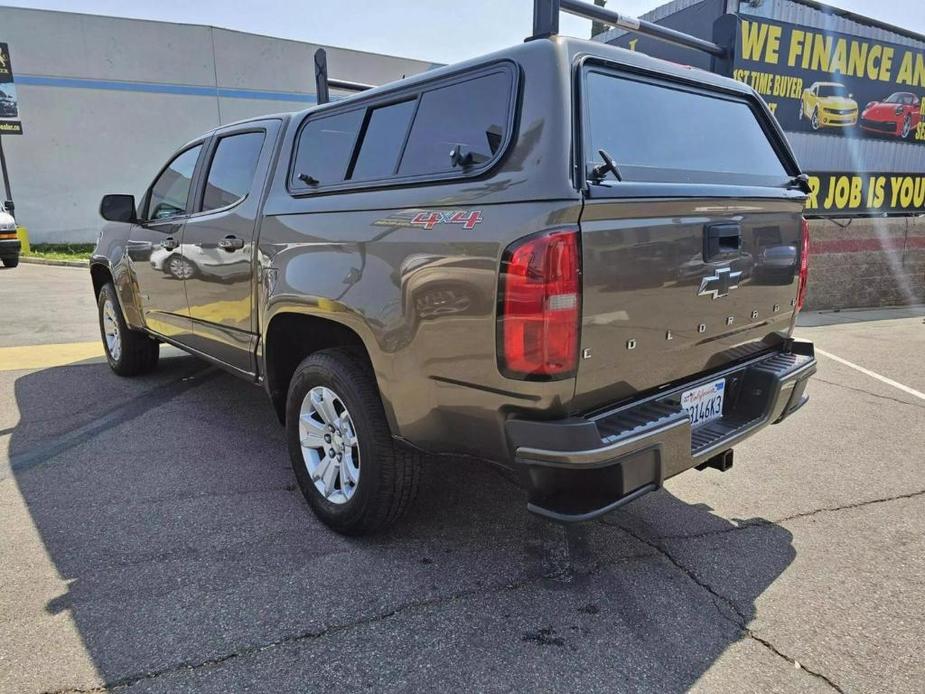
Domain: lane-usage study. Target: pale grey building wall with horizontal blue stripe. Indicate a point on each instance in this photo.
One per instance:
(105, 101)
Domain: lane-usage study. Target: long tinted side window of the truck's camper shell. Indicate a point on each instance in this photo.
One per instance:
(409, 135)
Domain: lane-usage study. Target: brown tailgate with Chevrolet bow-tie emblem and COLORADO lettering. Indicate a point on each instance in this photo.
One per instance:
(675, 287)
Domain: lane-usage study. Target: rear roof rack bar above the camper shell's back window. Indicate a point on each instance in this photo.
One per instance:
(546, 23)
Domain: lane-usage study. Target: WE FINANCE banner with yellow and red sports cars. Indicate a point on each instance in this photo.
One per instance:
(832, 83)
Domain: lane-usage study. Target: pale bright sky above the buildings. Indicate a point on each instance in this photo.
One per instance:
(440, 31)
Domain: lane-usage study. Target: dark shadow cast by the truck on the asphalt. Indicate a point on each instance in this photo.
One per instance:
(191, 560)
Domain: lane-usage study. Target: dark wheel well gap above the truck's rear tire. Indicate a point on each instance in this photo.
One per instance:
(290, 338)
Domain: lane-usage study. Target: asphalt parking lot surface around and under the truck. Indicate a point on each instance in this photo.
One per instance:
(153, 540)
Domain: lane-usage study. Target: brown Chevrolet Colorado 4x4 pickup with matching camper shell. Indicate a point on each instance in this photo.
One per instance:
(511, 258)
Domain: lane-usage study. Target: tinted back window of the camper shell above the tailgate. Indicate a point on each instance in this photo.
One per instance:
(665, 132)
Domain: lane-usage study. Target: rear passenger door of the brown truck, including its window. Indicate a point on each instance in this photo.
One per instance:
(218, 242)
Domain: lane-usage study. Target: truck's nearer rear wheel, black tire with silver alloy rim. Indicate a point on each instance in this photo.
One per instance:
(350, 470)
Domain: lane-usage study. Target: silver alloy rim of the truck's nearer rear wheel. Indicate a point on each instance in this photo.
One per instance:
(330, 447)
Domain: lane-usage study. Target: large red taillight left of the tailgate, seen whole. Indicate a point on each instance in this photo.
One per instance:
(539, 306)
